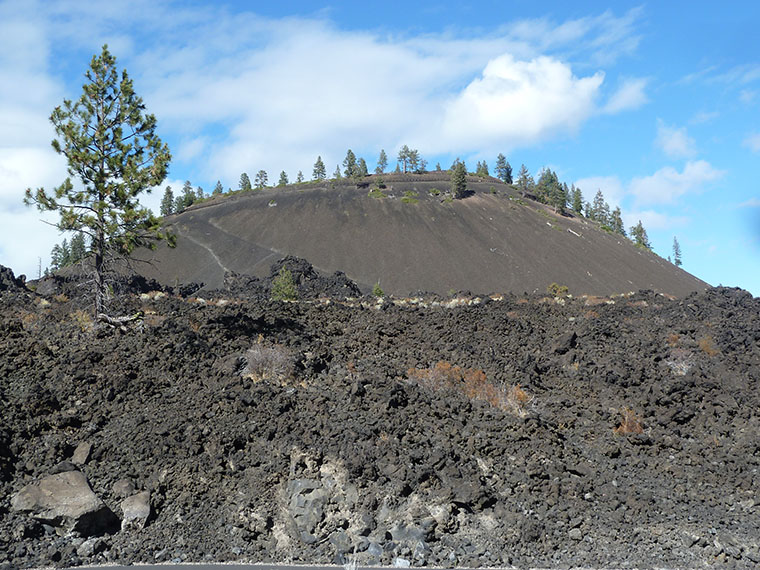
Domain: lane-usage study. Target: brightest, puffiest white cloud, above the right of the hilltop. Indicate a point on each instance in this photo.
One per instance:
(518, 101)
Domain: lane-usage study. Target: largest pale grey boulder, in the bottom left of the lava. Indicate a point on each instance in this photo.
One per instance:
(66, 501)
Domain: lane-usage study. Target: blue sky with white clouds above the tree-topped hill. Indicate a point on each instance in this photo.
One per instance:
(656, 104)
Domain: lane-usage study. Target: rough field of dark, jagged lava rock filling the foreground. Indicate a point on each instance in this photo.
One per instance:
(527, 431)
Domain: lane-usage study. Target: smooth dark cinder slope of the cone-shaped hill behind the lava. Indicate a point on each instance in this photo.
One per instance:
(408, 236)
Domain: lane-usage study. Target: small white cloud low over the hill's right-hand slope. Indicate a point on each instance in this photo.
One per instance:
(667, 184)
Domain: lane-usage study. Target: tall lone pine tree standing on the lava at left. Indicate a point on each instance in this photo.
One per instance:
(111, 145)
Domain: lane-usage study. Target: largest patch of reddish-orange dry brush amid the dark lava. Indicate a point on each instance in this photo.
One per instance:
(473, 384)
